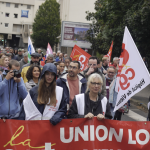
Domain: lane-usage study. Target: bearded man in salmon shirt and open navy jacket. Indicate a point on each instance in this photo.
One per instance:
(72, 82)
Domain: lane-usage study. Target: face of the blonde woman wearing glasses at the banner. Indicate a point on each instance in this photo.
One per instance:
(95, 86)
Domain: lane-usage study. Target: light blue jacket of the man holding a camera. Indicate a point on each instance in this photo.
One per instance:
(10, 92)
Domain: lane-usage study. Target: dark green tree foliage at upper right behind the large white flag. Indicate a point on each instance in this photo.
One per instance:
(110, 19)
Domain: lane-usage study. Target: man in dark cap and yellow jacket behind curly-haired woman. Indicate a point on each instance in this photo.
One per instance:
(34, 60)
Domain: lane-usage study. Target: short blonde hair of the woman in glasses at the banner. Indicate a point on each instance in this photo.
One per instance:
(91, 78)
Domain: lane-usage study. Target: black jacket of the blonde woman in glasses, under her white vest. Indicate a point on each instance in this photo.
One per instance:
(73, 111)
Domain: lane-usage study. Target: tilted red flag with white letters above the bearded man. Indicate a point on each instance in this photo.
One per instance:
(81, 56)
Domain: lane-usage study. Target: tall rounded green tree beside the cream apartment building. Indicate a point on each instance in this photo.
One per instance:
(47, 25)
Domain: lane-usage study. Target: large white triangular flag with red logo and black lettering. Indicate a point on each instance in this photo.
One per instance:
(133, 75)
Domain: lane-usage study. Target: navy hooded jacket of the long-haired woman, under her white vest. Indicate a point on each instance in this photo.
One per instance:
(61, 113)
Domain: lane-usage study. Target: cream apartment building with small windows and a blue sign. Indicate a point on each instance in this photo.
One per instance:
(16, 19)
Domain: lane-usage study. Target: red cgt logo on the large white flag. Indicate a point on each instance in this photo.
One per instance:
(125, 78)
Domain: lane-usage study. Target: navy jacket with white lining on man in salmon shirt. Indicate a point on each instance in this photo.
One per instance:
(62, 82)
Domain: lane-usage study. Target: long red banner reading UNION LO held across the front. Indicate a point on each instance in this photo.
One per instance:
(75, 134)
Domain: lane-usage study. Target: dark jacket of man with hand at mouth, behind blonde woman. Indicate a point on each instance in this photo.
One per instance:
(103, 78)
